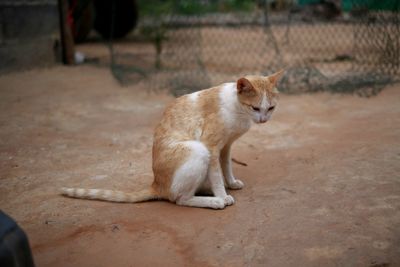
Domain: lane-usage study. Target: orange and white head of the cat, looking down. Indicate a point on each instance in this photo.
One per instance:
(258, 95)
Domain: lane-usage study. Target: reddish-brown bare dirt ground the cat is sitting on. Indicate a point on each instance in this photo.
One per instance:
(322, 185)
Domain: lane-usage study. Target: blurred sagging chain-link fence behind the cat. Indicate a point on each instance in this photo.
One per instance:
(186, 46)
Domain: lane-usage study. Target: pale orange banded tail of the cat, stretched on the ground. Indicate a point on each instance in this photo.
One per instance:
(111, 195)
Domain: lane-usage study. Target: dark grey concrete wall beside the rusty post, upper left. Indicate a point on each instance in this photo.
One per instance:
(29, 34)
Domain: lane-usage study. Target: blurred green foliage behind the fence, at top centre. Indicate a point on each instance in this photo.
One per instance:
(193, 7)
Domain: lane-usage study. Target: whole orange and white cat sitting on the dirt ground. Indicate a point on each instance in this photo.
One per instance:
(192, 144)
